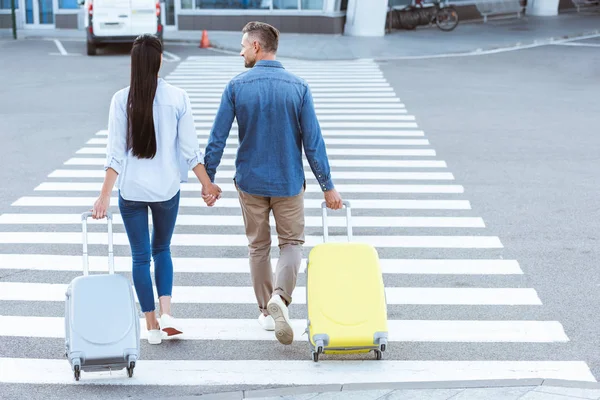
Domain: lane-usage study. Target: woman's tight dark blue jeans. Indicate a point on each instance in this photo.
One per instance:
(135, 219)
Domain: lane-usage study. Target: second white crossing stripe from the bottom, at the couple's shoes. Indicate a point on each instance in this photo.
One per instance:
(248, 329)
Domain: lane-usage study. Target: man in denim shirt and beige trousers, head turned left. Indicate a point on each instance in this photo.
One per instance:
(276, 117)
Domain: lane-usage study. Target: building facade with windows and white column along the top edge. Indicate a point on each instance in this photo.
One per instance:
(355, 17)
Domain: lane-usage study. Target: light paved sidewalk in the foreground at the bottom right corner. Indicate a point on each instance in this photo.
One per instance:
(526, 389)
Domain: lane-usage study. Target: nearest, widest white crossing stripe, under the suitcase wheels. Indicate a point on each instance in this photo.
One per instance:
(261, 372)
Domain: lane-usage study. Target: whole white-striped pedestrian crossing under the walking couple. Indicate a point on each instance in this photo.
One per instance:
(458, 308)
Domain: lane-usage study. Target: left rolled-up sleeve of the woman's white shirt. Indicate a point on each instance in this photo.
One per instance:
(116, 150)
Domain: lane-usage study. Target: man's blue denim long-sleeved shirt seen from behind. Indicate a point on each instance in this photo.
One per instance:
(276, 117)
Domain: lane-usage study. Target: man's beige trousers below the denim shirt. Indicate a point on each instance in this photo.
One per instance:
(288, 213)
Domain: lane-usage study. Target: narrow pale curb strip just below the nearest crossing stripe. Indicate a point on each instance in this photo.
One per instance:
(332, 388)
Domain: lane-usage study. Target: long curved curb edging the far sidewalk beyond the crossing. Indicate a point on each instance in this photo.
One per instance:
(477, 52)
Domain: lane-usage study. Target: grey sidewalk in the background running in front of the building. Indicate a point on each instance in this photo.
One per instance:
(468, 38)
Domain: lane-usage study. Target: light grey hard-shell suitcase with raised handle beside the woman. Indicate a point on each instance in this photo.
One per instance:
(102, 326)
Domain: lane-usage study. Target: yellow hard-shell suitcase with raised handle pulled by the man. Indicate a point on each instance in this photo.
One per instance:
(345, 297)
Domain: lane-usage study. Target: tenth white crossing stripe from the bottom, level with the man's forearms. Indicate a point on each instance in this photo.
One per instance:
(366, 163)
